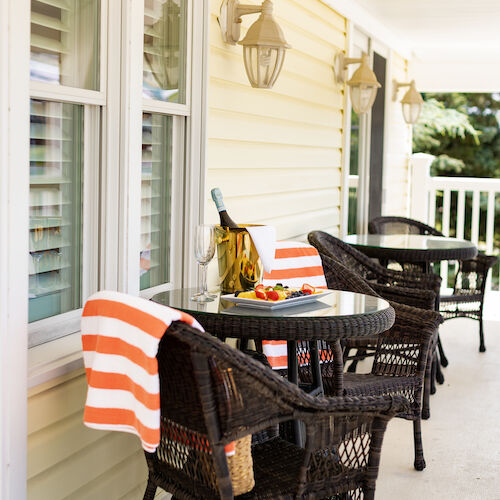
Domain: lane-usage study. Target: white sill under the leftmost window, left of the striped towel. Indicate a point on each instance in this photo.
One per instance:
(52, 360)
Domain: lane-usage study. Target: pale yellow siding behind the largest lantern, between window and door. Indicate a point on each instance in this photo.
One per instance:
(276, 154)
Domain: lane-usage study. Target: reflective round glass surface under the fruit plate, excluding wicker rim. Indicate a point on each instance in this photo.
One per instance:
(336, 304)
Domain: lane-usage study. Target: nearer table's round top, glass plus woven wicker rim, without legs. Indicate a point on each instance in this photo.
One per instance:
(340, 314)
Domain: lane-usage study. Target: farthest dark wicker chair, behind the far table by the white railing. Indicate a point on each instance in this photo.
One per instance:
(467, 299)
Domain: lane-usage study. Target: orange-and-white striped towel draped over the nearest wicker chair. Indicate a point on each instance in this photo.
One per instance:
(120, 337)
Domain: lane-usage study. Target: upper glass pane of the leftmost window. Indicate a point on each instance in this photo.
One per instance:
(65, 42)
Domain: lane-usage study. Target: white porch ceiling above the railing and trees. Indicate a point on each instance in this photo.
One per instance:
(454, 44)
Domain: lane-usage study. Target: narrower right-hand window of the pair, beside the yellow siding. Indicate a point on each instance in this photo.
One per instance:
(166, 108)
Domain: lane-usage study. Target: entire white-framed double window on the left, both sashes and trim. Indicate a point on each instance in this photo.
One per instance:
(85, 233)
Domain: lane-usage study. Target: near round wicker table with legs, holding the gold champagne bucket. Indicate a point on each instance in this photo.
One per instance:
(323, 323)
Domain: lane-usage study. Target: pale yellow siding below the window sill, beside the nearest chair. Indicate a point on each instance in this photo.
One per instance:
(66, 460)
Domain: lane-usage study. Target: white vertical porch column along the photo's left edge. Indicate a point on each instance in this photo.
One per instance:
(14, 247)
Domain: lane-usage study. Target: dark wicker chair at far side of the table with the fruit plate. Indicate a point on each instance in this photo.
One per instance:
(400, 359)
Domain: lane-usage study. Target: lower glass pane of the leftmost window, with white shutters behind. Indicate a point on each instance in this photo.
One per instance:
(56, 158)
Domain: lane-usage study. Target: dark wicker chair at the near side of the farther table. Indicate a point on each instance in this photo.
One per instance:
(414, 289)
